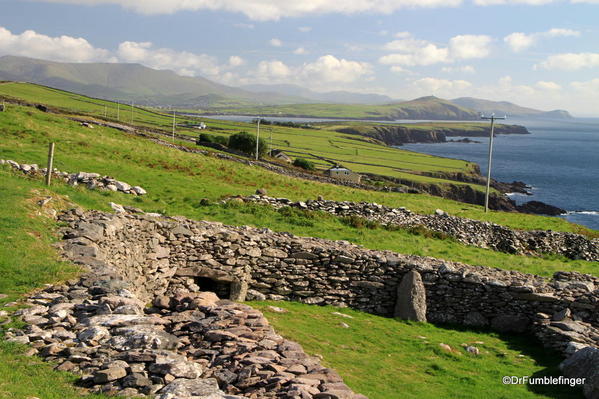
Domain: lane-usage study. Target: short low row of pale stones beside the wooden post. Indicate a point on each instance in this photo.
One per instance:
(92, 181)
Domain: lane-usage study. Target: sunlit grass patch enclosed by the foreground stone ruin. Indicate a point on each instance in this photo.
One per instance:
(389, 359)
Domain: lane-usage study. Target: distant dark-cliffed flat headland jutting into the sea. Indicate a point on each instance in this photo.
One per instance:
(399, 135)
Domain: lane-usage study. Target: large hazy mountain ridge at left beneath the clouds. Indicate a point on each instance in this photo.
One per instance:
(131, 82)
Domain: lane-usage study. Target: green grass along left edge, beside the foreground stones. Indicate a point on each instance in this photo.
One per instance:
(27, 261)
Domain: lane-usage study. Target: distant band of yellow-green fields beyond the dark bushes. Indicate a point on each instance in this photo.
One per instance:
(313, 144)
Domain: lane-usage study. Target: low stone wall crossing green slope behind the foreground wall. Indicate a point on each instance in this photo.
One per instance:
(467, 231)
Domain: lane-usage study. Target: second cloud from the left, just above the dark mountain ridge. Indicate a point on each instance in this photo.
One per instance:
(183, 62)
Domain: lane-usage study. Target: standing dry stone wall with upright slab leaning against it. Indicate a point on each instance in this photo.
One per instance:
(162, 254)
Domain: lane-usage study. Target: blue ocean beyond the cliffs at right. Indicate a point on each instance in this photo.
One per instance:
(559, 160)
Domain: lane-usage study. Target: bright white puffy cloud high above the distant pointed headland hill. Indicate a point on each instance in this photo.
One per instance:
(409, 51)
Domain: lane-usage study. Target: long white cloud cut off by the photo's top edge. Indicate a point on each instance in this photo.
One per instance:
(264, 10)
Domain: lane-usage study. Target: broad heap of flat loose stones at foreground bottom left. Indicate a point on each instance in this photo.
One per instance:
(188, 345)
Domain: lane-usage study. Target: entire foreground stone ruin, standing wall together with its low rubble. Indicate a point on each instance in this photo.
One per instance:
(190, 344)
